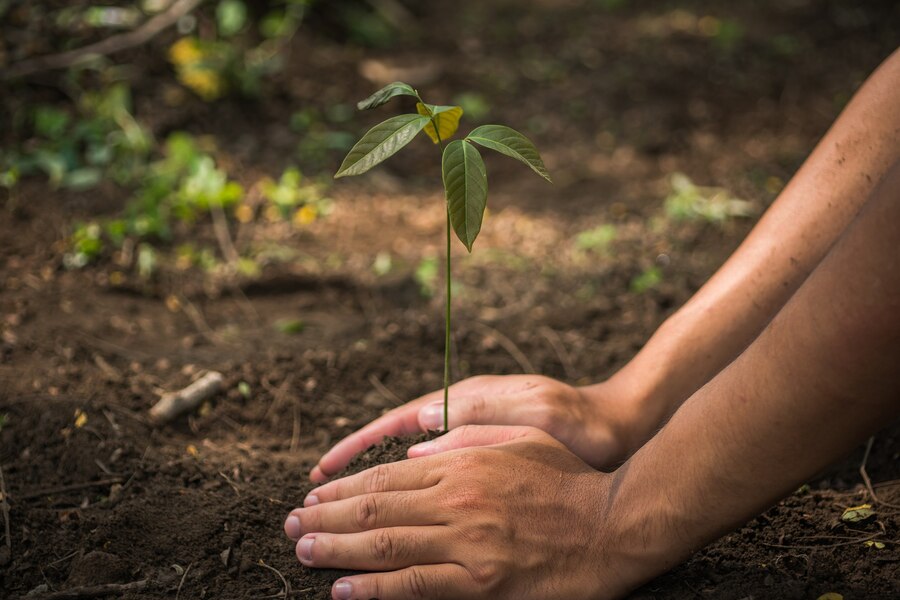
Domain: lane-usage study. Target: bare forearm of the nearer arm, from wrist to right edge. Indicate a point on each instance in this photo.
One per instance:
(819, 379)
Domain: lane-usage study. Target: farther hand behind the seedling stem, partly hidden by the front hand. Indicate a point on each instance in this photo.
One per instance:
(594, 423)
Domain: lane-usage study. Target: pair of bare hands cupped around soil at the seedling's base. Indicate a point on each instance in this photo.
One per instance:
(486, 511)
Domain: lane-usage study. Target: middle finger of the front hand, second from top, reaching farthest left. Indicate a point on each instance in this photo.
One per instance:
(362, 513)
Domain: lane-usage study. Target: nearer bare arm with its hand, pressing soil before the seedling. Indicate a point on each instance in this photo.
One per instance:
(525, 517)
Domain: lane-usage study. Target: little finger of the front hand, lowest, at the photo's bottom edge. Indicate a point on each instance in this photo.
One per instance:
(435, 582)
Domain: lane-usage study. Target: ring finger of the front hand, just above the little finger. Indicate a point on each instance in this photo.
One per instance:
(379, 550)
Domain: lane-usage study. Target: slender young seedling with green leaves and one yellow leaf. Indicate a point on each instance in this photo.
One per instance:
(463, 170)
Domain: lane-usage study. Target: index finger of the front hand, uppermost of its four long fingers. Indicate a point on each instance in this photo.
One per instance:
(405, 475)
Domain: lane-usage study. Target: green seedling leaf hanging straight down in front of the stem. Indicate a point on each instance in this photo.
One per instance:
(465, 182)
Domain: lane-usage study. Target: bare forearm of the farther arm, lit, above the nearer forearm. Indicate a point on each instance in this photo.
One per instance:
(786, 245)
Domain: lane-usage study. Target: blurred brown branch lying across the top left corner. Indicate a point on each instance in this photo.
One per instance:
(110, 45)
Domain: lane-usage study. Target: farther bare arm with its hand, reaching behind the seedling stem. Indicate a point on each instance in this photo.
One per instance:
(604, 422)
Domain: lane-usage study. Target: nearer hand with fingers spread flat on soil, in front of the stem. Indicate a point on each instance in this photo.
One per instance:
(520, 518)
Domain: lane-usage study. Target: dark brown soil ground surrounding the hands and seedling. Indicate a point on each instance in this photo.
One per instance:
(617, 101)
